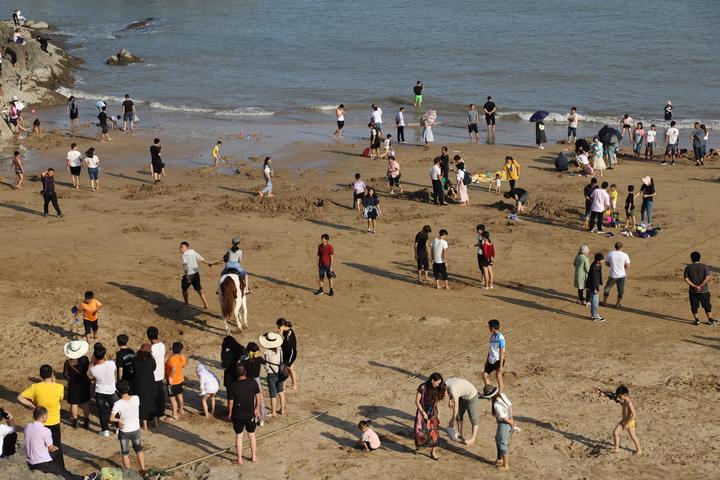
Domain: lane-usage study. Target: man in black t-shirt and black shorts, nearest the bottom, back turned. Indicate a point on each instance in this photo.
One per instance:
(244, 404)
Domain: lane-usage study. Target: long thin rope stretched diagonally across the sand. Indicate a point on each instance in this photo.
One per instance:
(399, 382)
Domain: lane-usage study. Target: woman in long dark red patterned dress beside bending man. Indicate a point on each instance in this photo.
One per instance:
(427, 421)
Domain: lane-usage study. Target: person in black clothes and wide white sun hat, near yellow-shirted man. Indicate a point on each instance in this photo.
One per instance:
(75, 371)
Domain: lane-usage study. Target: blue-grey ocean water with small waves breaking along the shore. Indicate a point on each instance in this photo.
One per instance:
(213, 67)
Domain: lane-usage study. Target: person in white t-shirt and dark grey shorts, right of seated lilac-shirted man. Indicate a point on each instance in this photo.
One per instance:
(126, 413)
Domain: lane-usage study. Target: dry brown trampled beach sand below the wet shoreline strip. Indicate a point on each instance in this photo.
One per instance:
(363, 352)
